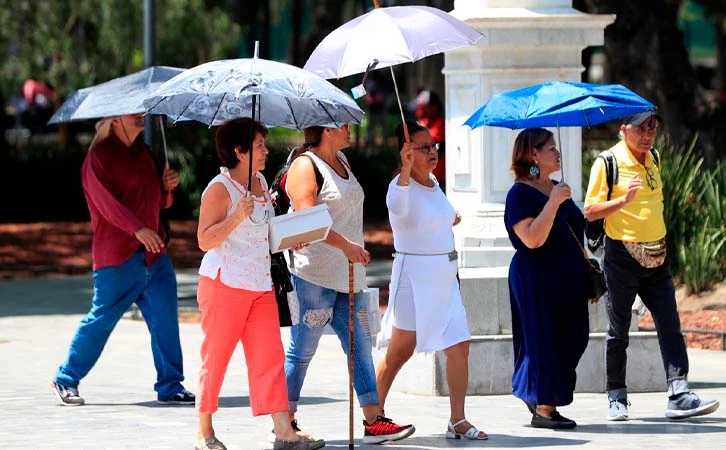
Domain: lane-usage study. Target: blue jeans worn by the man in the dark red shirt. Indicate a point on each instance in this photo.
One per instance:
(115, 288)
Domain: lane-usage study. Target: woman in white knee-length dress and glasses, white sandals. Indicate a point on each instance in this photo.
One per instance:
(424, 291)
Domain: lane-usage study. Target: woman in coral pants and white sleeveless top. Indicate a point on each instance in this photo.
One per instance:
(235, 289)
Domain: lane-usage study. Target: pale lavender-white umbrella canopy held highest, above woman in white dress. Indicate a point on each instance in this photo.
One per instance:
(389, 36)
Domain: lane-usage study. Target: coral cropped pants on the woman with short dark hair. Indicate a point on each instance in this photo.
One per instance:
(230, 315)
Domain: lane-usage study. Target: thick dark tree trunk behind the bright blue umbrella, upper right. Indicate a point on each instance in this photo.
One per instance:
(645, 52)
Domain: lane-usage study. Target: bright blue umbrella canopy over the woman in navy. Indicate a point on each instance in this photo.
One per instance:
(559, 103)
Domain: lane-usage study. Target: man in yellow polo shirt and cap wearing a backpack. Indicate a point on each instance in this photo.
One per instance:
(636, 263)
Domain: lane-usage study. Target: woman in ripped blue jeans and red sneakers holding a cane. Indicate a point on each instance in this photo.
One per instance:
(320, 276)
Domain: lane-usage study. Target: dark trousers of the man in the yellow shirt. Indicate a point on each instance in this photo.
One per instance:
(625, 278)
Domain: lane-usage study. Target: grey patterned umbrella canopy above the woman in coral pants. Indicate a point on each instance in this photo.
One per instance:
(285, 95)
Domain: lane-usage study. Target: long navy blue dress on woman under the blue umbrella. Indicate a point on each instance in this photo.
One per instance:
(550, 322)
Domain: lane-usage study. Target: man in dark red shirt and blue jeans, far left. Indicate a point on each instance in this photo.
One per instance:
(125, 194)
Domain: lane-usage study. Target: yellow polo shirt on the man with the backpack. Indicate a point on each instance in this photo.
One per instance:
(640, 220)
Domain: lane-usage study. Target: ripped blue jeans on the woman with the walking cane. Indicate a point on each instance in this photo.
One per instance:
(318, 307)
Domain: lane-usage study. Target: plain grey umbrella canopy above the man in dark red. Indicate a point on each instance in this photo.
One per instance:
(117, 97)
